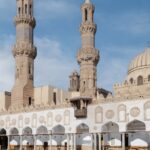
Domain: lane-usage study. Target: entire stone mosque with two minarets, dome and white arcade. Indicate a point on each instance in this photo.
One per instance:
(83, 118)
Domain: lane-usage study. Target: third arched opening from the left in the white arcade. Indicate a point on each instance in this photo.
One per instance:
(27, 139)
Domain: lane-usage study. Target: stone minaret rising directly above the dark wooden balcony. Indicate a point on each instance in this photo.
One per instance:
(88, 55)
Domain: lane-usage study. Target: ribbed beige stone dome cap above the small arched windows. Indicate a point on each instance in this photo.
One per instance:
(141, 61)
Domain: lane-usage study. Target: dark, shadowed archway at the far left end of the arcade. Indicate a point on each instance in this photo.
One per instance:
(3, 139)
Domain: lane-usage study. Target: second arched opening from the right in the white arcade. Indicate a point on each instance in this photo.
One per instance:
(111, 137)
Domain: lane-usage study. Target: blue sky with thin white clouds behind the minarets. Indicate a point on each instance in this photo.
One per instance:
(123, 32)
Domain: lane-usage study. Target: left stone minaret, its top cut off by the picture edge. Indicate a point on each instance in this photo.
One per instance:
(24, 53)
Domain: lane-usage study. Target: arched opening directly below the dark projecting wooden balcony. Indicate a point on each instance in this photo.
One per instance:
(83, 138)
